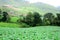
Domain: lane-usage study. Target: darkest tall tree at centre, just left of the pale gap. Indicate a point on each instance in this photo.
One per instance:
(37, 19)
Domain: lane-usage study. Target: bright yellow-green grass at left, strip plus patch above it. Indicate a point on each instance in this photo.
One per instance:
(13, 23)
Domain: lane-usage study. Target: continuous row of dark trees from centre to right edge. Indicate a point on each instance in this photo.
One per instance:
(35, 19)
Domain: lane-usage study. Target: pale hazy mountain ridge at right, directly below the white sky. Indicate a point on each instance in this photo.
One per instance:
(45, 7)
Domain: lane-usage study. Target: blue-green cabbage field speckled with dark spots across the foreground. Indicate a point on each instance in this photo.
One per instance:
(34, 33)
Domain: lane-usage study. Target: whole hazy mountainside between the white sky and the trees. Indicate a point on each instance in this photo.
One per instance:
(22, 7)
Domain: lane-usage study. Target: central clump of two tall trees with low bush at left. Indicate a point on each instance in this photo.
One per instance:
(32, 19)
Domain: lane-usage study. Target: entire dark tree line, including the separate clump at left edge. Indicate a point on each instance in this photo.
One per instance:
(34, 19)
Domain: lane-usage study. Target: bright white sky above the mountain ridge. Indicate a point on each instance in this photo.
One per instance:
(51, 2)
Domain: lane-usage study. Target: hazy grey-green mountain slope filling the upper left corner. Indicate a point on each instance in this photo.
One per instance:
(15, 3)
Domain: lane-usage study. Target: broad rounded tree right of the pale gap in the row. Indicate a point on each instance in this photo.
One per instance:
(48, 19)
